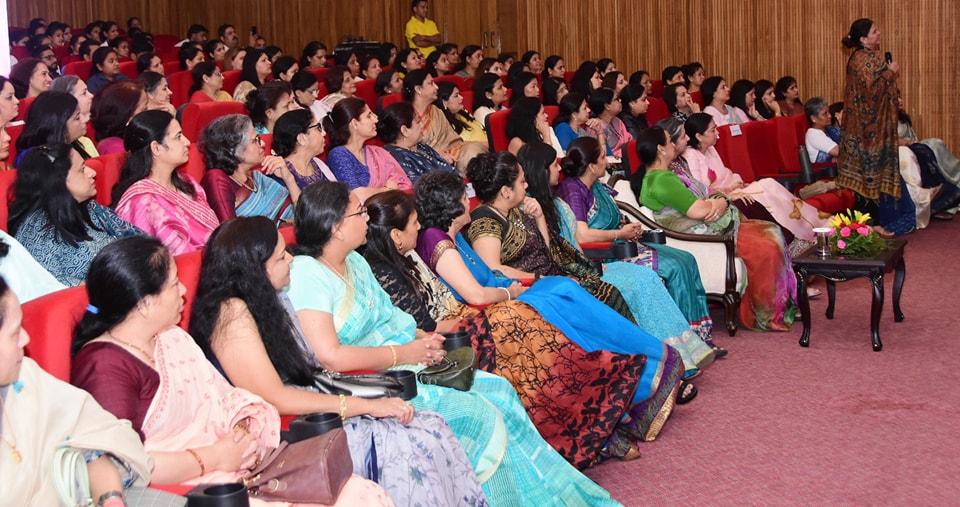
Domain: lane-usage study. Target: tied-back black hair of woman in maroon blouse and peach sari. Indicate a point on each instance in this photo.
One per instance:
(120, 276)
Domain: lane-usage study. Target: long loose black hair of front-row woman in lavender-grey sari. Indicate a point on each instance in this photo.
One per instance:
(234, 267)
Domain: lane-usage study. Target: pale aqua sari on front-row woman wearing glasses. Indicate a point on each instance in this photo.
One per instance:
(513, 462)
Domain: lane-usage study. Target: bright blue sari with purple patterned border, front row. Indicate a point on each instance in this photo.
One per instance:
(566, 305)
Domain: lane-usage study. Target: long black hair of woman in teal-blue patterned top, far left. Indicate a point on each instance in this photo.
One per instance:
(42, 185)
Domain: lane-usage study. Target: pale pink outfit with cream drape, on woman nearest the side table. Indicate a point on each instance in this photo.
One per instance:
(789, 211)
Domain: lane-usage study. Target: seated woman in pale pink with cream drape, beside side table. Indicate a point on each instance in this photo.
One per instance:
(771, 198)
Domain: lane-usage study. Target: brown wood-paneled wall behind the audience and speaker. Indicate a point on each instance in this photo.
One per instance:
(737, 39)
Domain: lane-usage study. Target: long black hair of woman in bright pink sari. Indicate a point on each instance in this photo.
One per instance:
(145, 129)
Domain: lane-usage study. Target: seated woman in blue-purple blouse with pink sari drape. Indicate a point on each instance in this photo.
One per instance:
(357, 164)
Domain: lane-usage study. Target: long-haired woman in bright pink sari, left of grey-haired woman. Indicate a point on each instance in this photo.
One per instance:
(153, 195)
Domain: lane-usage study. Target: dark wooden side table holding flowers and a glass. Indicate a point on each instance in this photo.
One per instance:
(840, 269)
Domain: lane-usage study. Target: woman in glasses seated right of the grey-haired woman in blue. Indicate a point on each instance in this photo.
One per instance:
(298, 138)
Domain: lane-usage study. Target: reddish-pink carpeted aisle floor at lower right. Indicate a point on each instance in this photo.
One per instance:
(776, 424)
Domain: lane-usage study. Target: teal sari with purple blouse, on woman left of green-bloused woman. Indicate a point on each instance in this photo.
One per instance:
(597, 207)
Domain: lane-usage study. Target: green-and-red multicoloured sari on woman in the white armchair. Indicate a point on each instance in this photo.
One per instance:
(769, 300)
